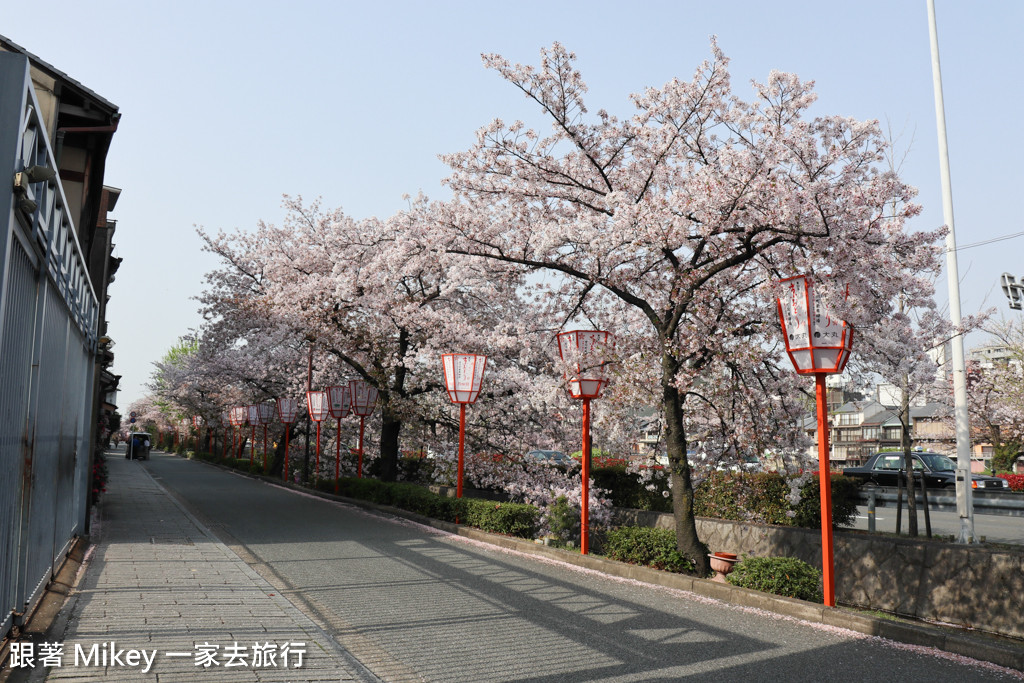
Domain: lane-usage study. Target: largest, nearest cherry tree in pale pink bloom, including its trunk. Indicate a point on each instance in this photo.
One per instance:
(671, 228)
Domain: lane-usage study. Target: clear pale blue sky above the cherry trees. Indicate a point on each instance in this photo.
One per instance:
(227, 107)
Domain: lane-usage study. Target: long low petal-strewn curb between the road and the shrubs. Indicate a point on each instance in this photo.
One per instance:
(923, 635)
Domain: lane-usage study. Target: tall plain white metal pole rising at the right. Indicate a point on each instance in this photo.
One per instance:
(965, 505)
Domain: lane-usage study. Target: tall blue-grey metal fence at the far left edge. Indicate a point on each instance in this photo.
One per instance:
(49, 314)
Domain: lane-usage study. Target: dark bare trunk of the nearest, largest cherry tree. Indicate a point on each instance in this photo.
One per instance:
(679, 467)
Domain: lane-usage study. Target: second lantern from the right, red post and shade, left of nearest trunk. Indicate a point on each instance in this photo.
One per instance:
(584, 351)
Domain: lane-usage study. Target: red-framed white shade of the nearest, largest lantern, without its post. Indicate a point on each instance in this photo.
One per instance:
(816, 341)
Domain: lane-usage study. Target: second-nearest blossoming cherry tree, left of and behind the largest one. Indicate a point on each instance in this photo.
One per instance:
(381, 302)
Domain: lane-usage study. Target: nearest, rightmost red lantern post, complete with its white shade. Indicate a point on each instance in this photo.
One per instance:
(820, 346)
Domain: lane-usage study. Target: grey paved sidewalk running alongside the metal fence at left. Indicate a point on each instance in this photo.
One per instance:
(160, 599)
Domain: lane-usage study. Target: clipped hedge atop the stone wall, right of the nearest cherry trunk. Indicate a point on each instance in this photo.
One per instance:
(763, 497)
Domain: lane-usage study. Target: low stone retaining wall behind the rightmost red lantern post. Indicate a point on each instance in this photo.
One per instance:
(971, 586)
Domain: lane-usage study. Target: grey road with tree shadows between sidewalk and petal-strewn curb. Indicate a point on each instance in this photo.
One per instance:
(412, 604)
